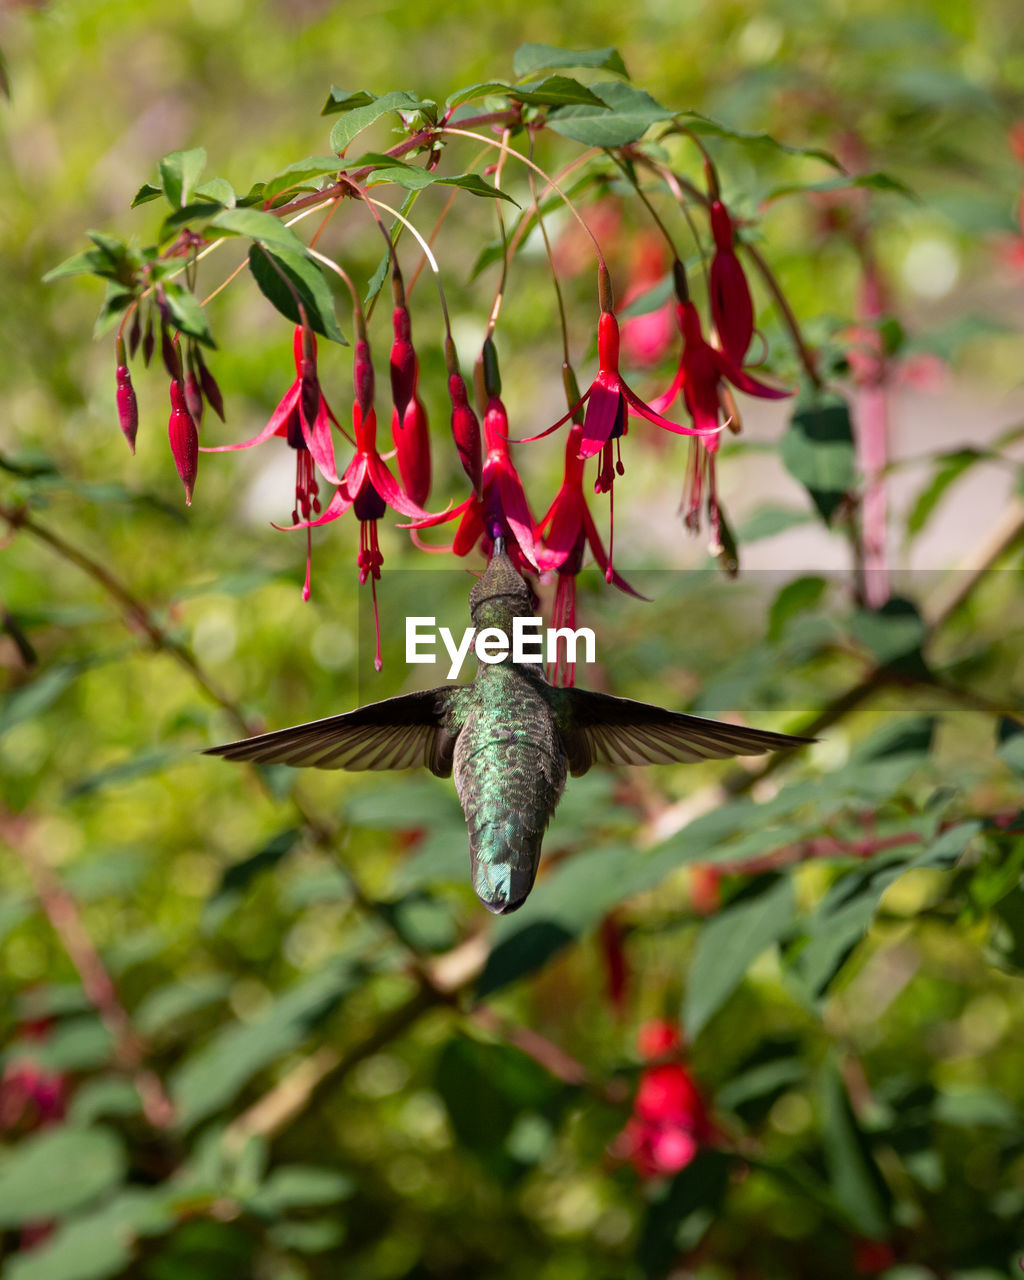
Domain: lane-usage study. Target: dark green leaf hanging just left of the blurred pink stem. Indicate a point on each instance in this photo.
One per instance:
(819, 451)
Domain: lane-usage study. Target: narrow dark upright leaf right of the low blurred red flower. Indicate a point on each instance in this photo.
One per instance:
(857, 1182)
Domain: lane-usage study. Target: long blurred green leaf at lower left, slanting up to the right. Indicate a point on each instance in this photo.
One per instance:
(214, 1076)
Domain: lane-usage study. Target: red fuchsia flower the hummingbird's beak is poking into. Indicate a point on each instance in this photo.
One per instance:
(500, 510)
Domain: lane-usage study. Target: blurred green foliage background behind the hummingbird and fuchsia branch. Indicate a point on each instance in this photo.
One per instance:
(371, 1076)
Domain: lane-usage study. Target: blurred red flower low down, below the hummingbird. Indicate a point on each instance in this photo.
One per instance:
(670, 1121)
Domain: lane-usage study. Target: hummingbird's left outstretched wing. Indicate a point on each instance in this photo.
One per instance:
(395, 734)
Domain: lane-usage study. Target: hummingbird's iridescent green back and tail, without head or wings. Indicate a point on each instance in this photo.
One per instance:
(510, 771)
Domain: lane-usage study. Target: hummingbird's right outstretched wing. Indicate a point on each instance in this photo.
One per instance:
(605, 730)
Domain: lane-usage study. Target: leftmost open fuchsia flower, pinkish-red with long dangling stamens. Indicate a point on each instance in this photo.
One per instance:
(303, 418)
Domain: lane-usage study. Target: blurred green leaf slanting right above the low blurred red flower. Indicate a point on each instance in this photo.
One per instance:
(730, 943)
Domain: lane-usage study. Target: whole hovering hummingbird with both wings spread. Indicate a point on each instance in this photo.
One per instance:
(510, 738)
